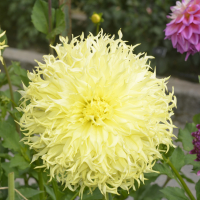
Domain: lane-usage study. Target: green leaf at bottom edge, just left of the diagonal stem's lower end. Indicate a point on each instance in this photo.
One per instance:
(174, 193)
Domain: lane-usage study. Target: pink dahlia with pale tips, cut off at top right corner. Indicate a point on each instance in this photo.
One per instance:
(184, 28)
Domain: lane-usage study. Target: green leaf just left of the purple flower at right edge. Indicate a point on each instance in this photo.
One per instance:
(185, 136)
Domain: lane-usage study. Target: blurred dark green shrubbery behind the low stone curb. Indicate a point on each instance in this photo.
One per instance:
(141, 21)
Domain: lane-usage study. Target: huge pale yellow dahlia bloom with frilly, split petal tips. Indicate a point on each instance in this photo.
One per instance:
(96, 114)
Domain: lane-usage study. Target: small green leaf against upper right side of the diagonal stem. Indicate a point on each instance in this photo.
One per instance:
(177, 158)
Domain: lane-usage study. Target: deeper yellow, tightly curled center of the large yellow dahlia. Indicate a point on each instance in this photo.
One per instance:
(96, 111)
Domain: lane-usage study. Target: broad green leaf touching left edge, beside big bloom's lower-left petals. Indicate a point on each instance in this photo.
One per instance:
(10, 136)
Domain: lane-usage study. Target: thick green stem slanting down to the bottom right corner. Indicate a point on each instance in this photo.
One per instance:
(185, 187)
